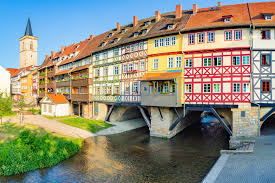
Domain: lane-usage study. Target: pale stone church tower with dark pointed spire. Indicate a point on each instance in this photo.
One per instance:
(28, 48)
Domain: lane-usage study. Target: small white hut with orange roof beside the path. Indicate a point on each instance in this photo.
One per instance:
(55, 105)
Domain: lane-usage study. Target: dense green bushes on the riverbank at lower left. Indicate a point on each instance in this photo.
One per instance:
(29, 152)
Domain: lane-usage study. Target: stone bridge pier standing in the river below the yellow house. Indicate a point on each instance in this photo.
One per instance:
(163, 117)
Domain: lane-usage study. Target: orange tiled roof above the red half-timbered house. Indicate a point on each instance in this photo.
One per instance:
(213, 17)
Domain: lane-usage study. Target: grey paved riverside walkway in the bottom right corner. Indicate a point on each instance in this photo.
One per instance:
(258, 166)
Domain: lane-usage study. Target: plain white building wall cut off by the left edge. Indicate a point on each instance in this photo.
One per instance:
(5, 82)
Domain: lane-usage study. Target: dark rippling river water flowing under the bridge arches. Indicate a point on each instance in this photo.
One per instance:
(136, 157)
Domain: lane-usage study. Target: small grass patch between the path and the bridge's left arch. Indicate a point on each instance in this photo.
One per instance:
(86, 124)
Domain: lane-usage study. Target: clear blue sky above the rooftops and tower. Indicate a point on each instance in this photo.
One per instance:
(59, 23)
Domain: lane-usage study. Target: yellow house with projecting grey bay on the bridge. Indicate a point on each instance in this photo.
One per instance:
(162, 85)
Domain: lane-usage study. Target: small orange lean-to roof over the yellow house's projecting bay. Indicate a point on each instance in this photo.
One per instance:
(160, 76)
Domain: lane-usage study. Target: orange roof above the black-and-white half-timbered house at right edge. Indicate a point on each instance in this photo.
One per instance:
(258, 10)
